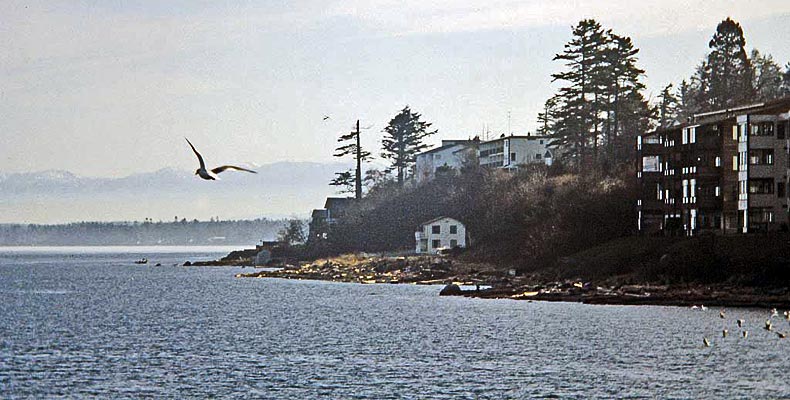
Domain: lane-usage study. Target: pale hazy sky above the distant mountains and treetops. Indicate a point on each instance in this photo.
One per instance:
(108, 88)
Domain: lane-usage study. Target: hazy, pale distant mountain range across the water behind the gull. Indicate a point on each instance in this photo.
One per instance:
(280, 189)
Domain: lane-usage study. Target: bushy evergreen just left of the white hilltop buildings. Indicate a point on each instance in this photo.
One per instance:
(403, 140)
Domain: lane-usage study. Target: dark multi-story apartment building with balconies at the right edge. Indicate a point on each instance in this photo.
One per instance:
(724, 171)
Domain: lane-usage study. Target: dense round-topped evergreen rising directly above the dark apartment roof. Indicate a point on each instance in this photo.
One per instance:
(728, 72)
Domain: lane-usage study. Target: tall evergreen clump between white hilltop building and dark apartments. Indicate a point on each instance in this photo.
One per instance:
(600, 100)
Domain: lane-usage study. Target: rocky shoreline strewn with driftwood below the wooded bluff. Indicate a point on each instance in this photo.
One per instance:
(493, 283)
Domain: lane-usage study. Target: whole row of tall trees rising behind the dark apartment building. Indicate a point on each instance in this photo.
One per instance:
(600, 107)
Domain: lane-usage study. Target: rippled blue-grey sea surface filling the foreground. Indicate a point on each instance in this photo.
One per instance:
(88, 322)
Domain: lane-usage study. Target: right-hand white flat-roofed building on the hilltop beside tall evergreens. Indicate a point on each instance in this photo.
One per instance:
(511, 151)
